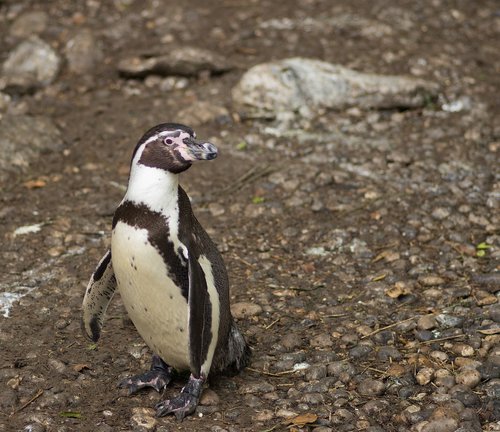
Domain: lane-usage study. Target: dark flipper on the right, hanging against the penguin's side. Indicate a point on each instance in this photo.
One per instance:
(200, 334)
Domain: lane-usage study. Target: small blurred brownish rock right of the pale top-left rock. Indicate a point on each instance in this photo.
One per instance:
(83, 52)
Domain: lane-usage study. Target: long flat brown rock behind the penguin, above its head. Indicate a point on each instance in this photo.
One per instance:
(185, 61)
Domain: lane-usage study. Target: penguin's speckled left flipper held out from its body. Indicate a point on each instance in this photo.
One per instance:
(100, 290)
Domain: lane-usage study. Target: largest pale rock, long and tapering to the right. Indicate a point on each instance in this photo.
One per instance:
(304, 87)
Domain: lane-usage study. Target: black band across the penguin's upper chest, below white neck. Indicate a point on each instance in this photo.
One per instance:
(142, 217)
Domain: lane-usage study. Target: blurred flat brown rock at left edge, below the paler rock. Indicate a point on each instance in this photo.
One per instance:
(23, 139)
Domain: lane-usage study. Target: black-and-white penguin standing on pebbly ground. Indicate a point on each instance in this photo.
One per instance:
(169, 273)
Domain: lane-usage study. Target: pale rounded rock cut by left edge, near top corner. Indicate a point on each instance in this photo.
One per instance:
(31, 65)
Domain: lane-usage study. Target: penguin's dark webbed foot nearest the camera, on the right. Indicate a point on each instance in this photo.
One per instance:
(184, 404)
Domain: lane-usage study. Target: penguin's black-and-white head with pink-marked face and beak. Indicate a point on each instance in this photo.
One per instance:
(172, 147)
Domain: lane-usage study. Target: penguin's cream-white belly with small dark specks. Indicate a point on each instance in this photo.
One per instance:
(153, 301)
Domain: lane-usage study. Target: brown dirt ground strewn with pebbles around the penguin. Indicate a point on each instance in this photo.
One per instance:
(394, 219)
